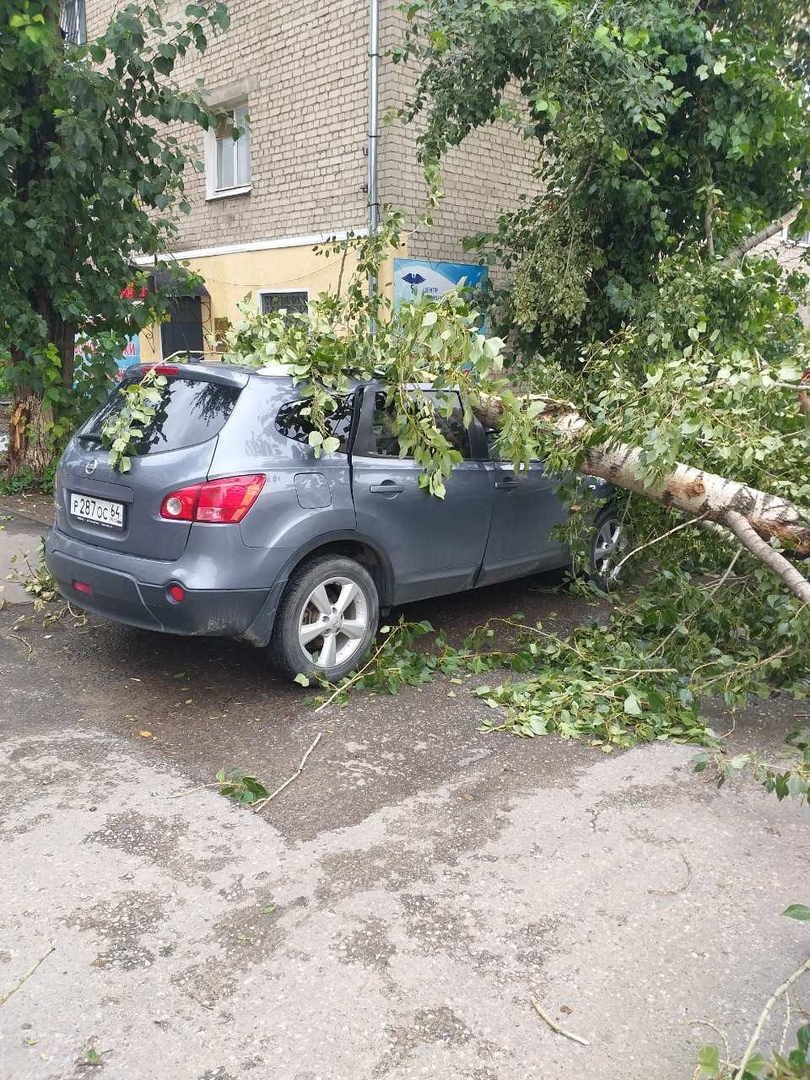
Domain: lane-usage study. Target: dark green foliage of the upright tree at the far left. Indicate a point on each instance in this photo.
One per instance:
(91, 177)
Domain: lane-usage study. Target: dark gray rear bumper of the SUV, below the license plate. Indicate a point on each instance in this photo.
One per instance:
(115, 595)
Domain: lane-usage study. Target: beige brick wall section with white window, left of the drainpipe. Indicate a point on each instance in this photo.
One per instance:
(305, 70)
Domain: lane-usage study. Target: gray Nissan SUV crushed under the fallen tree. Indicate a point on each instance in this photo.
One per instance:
(228, 525)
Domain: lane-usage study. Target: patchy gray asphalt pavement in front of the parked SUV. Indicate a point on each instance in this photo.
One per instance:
(393, 913)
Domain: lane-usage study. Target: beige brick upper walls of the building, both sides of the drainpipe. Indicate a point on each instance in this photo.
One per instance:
(305, 71)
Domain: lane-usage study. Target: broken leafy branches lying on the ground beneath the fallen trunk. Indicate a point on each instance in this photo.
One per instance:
(639, 673)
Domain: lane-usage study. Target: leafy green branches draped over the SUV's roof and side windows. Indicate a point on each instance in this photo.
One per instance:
(428, 346)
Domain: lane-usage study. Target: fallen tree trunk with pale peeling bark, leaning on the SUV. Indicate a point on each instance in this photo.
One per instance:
(754, 518)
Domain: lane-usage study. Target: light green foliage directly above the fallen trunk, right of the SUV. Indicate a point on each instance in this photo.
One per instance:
(708, 375)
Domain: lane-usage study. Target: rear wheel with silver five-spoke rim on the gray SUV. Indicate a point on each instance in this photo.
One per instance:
(327, 620)
